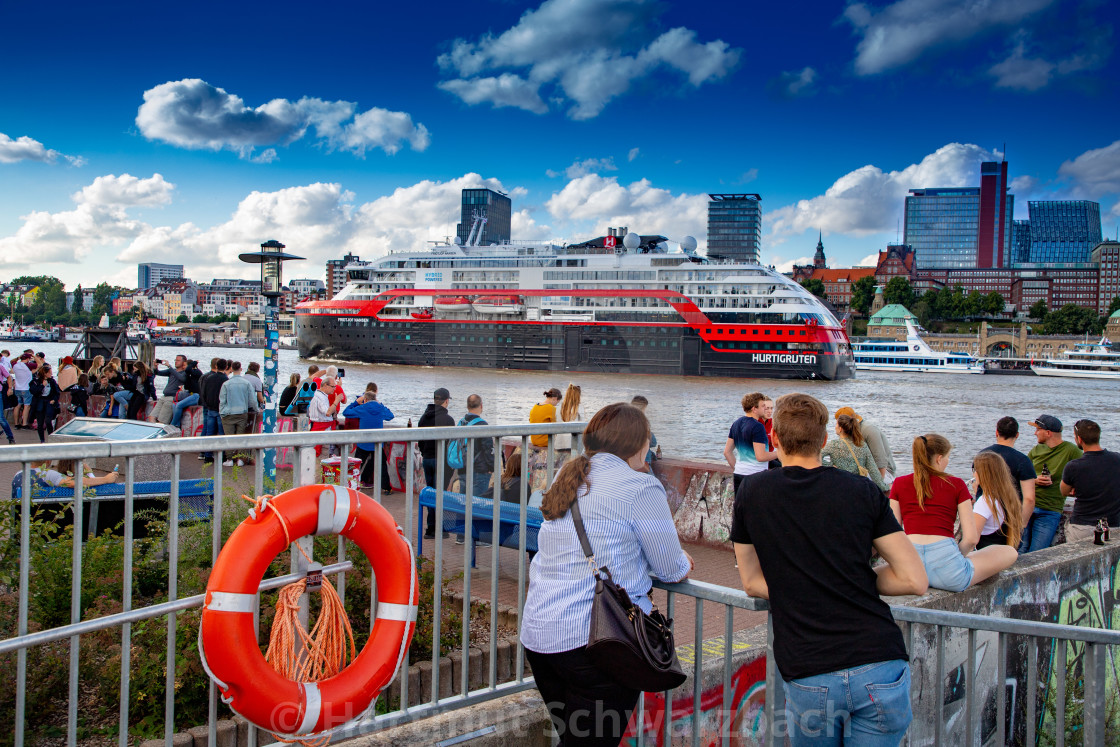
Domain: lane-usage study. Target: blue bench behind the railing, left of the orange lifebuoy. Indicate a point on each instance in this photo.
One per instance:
(197, 497)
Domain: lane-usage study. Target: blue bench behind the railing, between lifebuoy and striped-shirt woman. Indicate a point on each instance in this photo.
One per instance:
(482, 512)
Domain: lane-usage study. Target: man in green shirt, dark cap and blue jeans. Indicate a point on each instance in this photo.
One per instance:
(1050, 456)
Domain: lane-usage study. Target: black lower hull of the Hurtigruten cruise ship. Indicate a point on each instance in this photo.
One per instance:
(640, 350)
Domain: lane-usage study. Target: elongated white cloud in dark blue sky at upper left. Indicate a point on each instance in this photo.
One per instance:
(192, 114)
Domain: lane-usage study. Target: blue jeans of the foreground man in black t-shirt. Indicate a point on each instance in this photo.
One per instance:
(867, 705)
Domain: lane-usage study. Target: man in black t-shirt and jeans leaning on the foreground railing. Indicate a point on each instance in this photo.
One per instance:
(804, 536)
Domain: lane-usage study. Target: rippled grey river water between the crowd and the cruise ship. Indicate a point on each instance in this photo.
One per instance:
(692, 416)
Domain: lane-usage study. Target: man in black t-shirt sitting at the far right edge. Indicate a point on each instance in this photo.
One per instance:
(1093, 481)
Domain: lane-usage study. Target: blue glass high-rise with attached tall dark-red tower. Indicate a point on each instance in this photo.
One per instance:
(963, 227)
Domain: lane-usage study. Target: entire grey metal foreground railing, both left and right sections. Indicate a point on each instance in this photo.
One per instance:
(1079, 662)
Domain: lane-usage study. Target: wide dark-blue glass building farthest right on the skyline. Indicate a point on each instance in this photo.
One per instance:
(1063, 231)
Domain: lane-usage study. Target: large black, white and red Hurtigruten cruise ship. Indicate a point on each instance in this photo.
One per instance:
(620, 304)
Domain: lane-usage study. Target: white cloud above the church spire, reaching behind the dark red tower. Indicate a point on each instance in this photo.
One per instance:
(870, 200)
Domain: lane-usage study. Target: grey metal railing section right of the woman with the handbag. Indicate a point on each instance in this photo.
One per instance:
(1095, 670)
